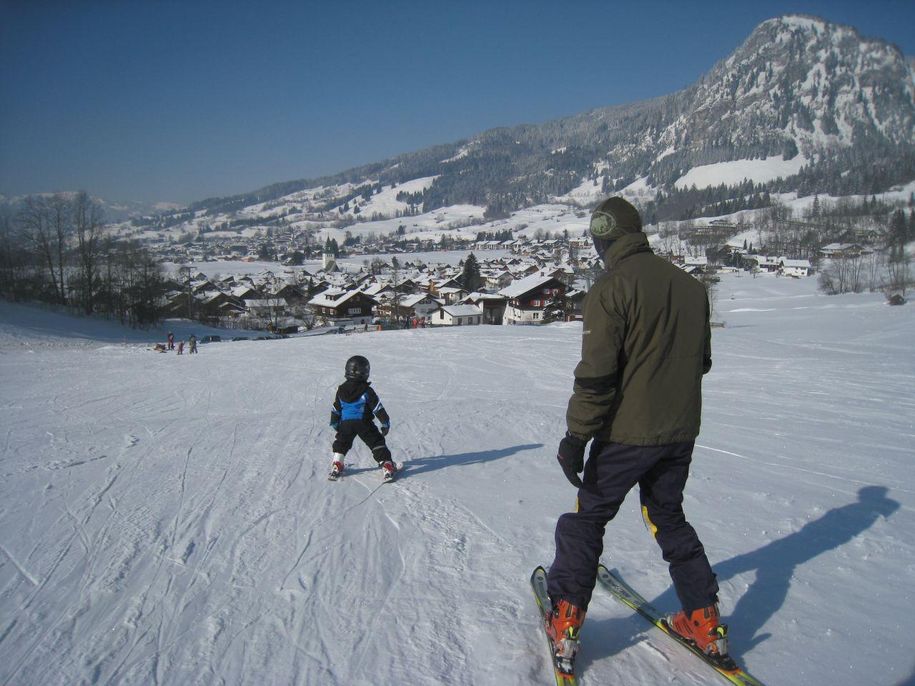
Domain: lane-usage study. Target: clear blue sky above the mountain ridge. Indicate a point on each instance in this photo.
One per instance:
(179, 100)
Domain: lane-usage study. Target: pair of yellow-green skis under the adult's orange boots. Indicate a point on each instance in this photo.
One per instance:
(611, 581)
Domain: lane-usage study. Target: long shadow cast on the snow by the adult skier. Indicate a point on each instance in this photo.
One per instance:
(774, 565)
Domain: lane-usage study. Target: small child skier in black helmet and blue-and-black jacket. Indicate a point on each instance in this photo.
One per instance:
(355, 407)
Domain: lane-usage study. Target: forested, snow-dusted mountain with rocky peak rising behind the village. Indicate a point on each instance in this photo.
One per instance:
(802, 105)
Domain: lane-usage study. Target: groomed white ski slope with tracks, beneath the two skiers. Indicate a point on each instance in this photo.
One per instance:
(166, 520)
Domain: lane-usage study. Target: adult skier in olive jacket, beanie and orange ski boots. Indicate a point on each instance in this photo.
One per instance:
(646, 343)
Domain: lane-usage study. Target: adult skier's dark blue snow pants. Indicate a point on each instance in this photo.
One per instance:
(612, 470)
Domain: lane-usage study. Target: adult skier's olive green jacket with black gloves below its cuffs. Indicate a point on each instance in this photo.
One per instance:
(646, 343)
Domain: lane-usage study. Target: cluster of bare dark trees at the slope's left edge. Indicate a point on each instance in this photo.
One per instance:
(54, 249)
